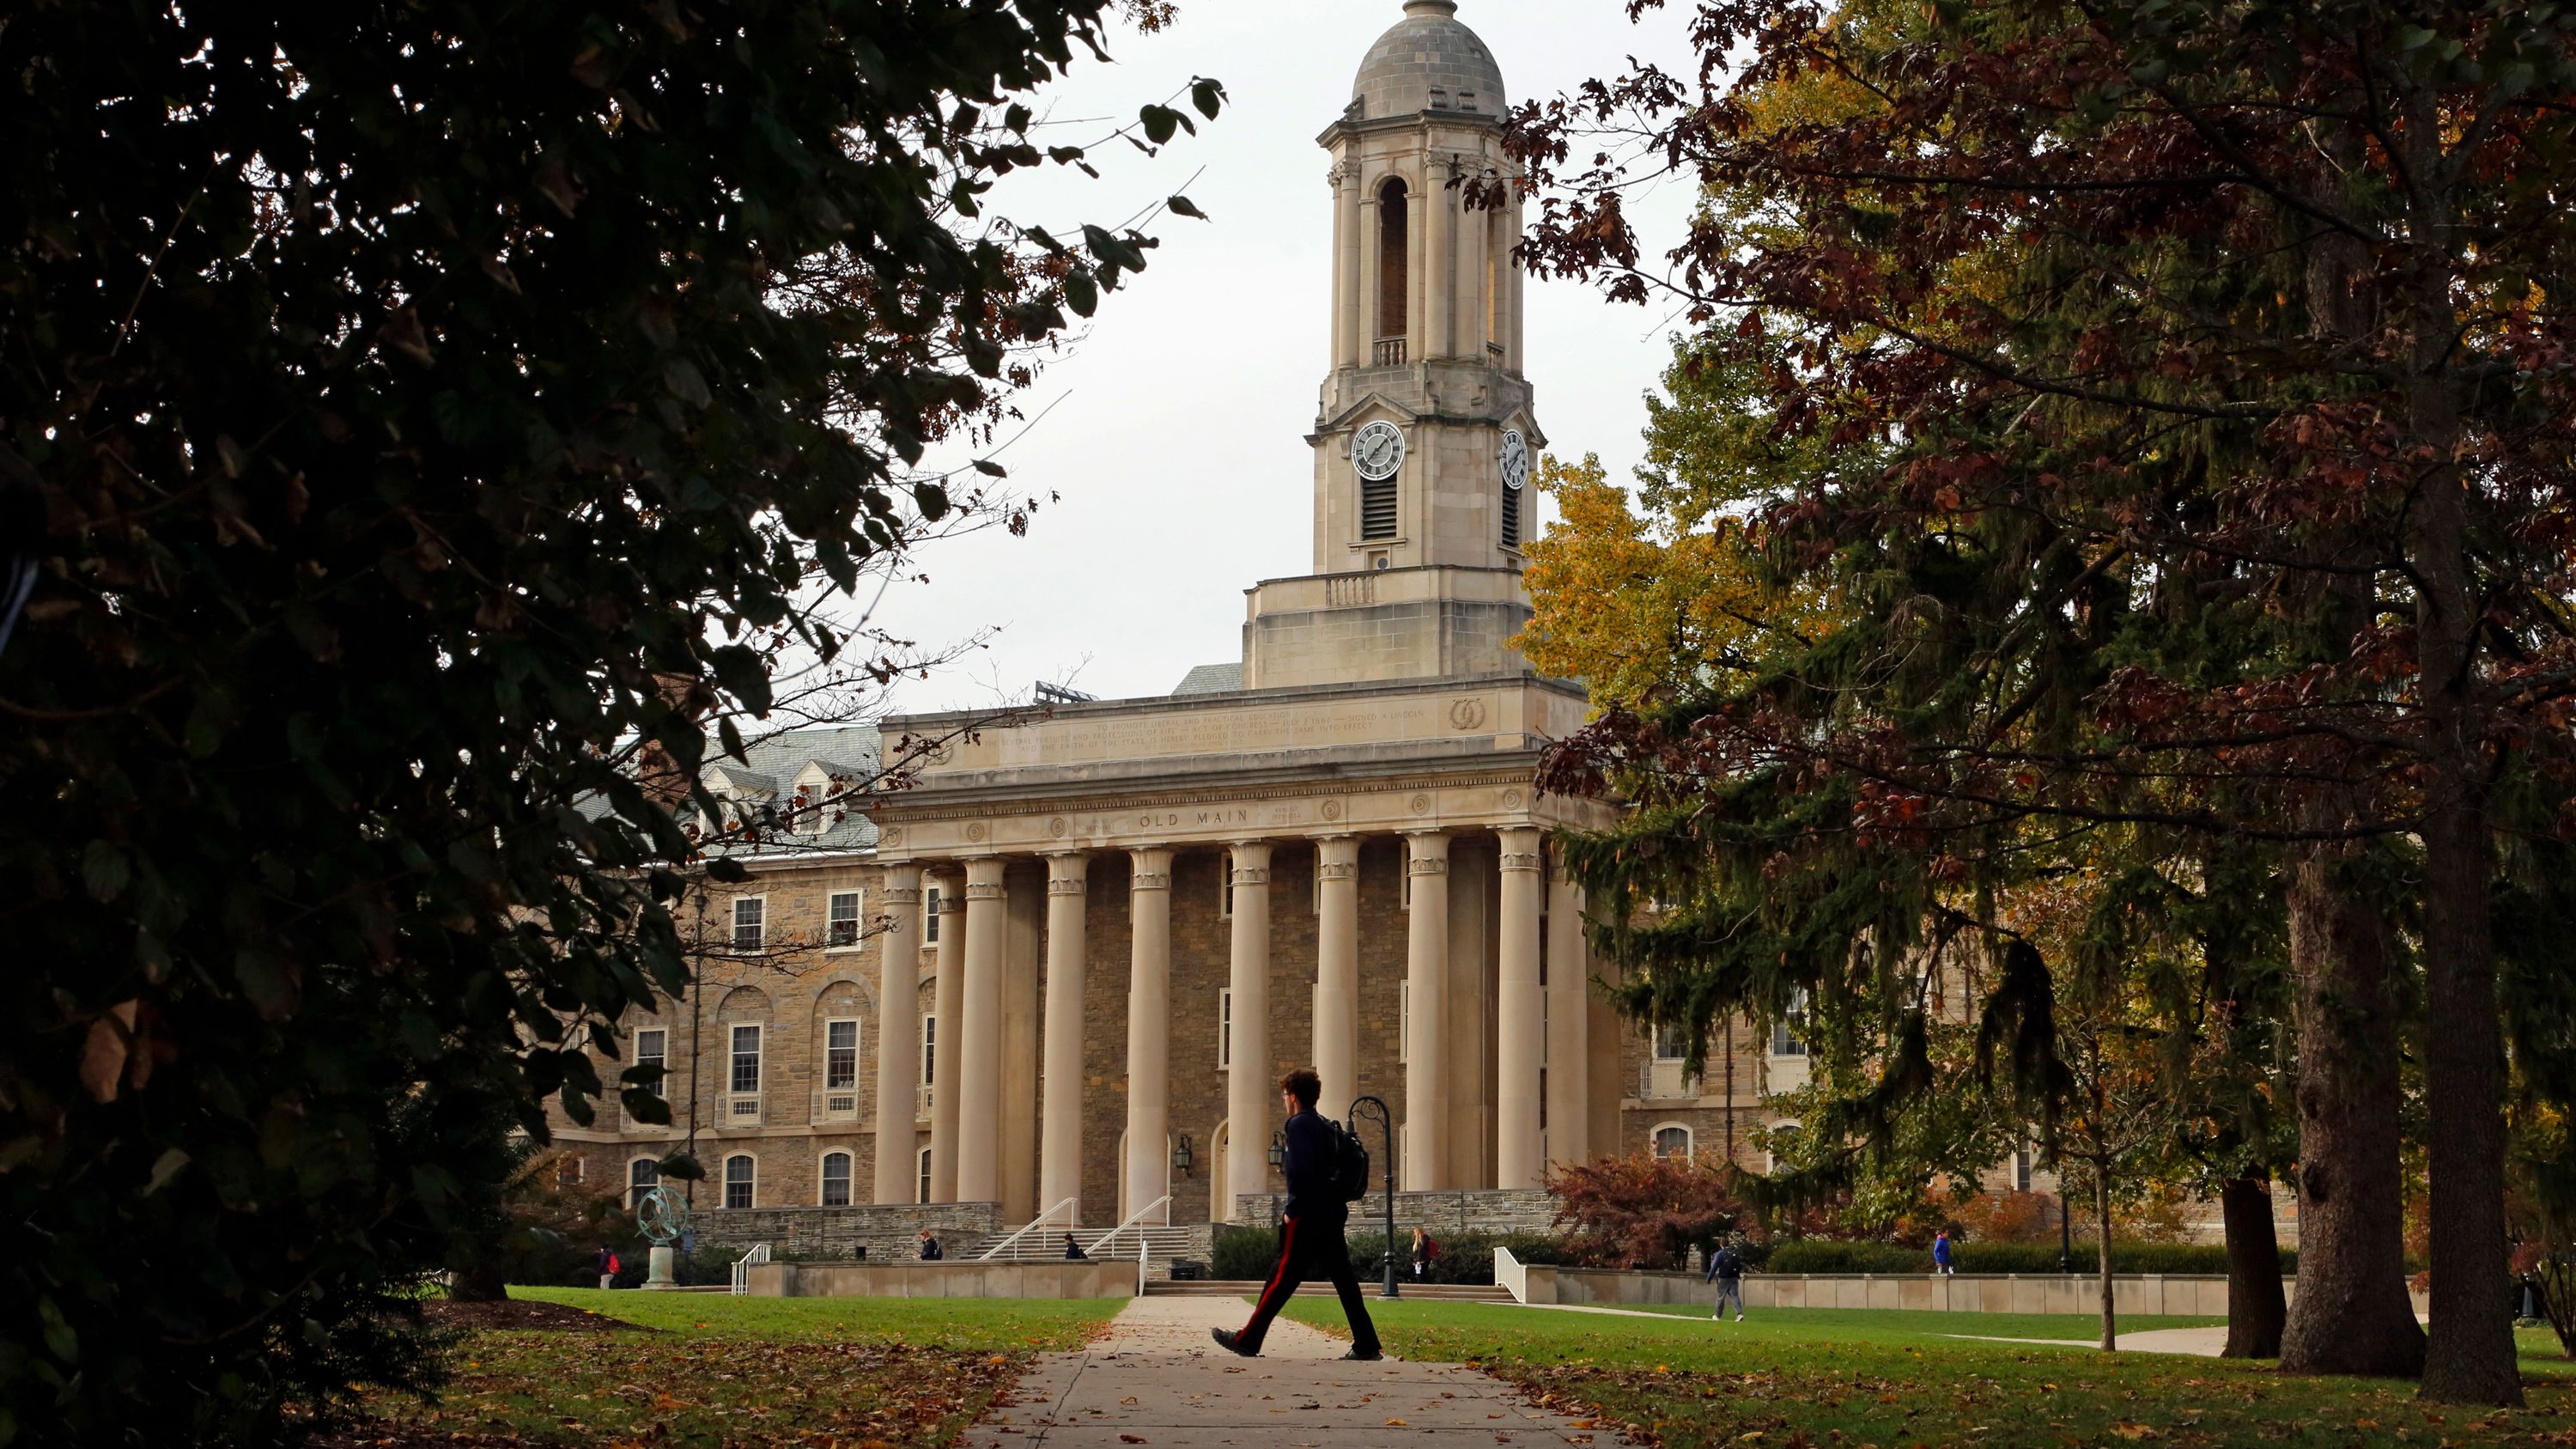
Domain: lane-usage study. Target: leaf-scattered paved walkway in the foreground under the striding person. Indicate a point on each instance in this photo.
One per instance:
(1158, 1381)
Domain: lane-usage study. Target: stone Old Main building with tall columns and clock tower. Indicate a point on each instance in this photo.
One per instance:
(1063, 973)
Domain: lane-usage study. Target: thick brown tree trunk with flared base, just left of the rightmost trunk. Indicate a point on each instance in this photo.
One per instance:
(2351, 1314)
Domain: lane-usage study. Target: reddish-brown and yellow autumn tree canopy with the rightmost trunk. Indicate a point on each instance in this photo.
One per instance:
(2214, 393)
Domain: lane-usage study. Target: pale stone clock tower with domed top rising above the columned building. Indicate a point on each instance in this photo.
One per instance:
(1423, 440)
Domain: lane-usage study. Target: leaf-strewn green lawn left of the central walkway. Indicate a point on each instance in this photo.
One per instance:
(735, 1373)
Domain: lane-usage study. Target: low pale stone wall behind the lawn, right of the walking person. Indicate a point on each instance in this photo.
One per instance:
(2201, 1296)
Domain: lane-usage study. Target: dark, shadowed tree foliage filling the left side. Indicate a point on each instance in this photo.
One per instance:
(426, 409)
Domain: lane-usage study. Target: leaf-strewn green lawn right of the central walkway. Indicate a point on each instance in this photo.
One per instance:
(1835, 1378)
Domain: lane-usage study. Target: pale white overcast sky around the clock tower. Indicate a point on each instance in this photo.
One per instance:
(1179, 424)
